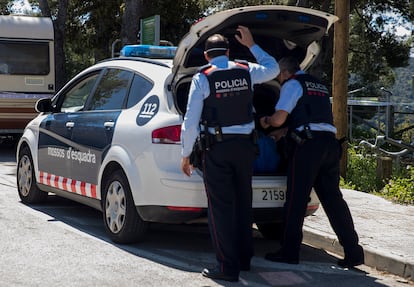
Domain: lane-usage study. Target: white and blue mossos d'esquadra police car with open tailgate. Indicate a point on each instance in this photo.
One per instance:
(110, 138)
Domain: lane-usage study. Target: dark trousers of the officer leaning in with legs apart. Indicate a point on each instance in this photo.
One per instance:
(315, 163)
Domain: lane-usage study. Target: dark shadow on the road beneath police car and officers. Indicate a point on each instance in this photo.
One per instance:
(188, 248)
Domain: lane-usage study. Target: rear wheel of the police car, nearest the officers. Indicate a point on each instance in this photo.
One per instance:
(122, 221)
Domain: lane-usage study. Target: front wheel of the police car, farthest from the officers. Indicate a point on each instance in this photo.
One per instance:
(26, 179)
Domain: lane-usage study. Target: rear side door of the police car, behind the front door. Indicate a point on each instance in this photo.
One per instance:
(94, 128)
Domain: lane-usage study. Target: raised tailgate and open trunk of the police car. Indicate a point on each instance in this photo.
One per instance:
(279, 30)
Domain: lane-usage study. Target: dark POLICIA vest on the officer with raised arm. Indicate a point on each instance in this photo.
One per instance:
(231, 96)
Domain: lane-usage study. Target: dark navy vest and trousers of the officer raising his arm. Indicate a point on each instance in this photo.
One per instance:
(228, 166)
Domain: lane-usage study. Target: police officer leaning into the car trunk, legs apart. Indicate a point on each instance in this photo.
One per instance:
(305, 108)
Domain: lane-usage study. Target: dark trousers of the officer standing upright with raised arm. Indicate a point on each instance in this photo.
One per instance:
(228, 170)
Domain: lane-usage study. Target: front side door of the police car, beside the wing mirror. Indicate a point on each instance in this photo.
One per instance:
(55, 132)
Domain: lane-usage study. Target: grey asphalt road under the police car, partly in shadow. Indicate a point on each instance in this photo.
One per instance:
(62, 243)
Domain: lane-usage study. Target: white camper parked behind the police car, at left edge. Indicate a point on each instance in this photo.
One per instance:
(27, 69)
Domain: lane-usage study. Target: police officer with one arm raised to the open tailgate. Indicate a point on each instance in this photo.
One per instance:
(221, 98)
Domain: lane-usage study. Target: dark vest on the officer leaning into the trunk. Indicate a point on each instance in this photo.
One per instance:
(314, 106)
